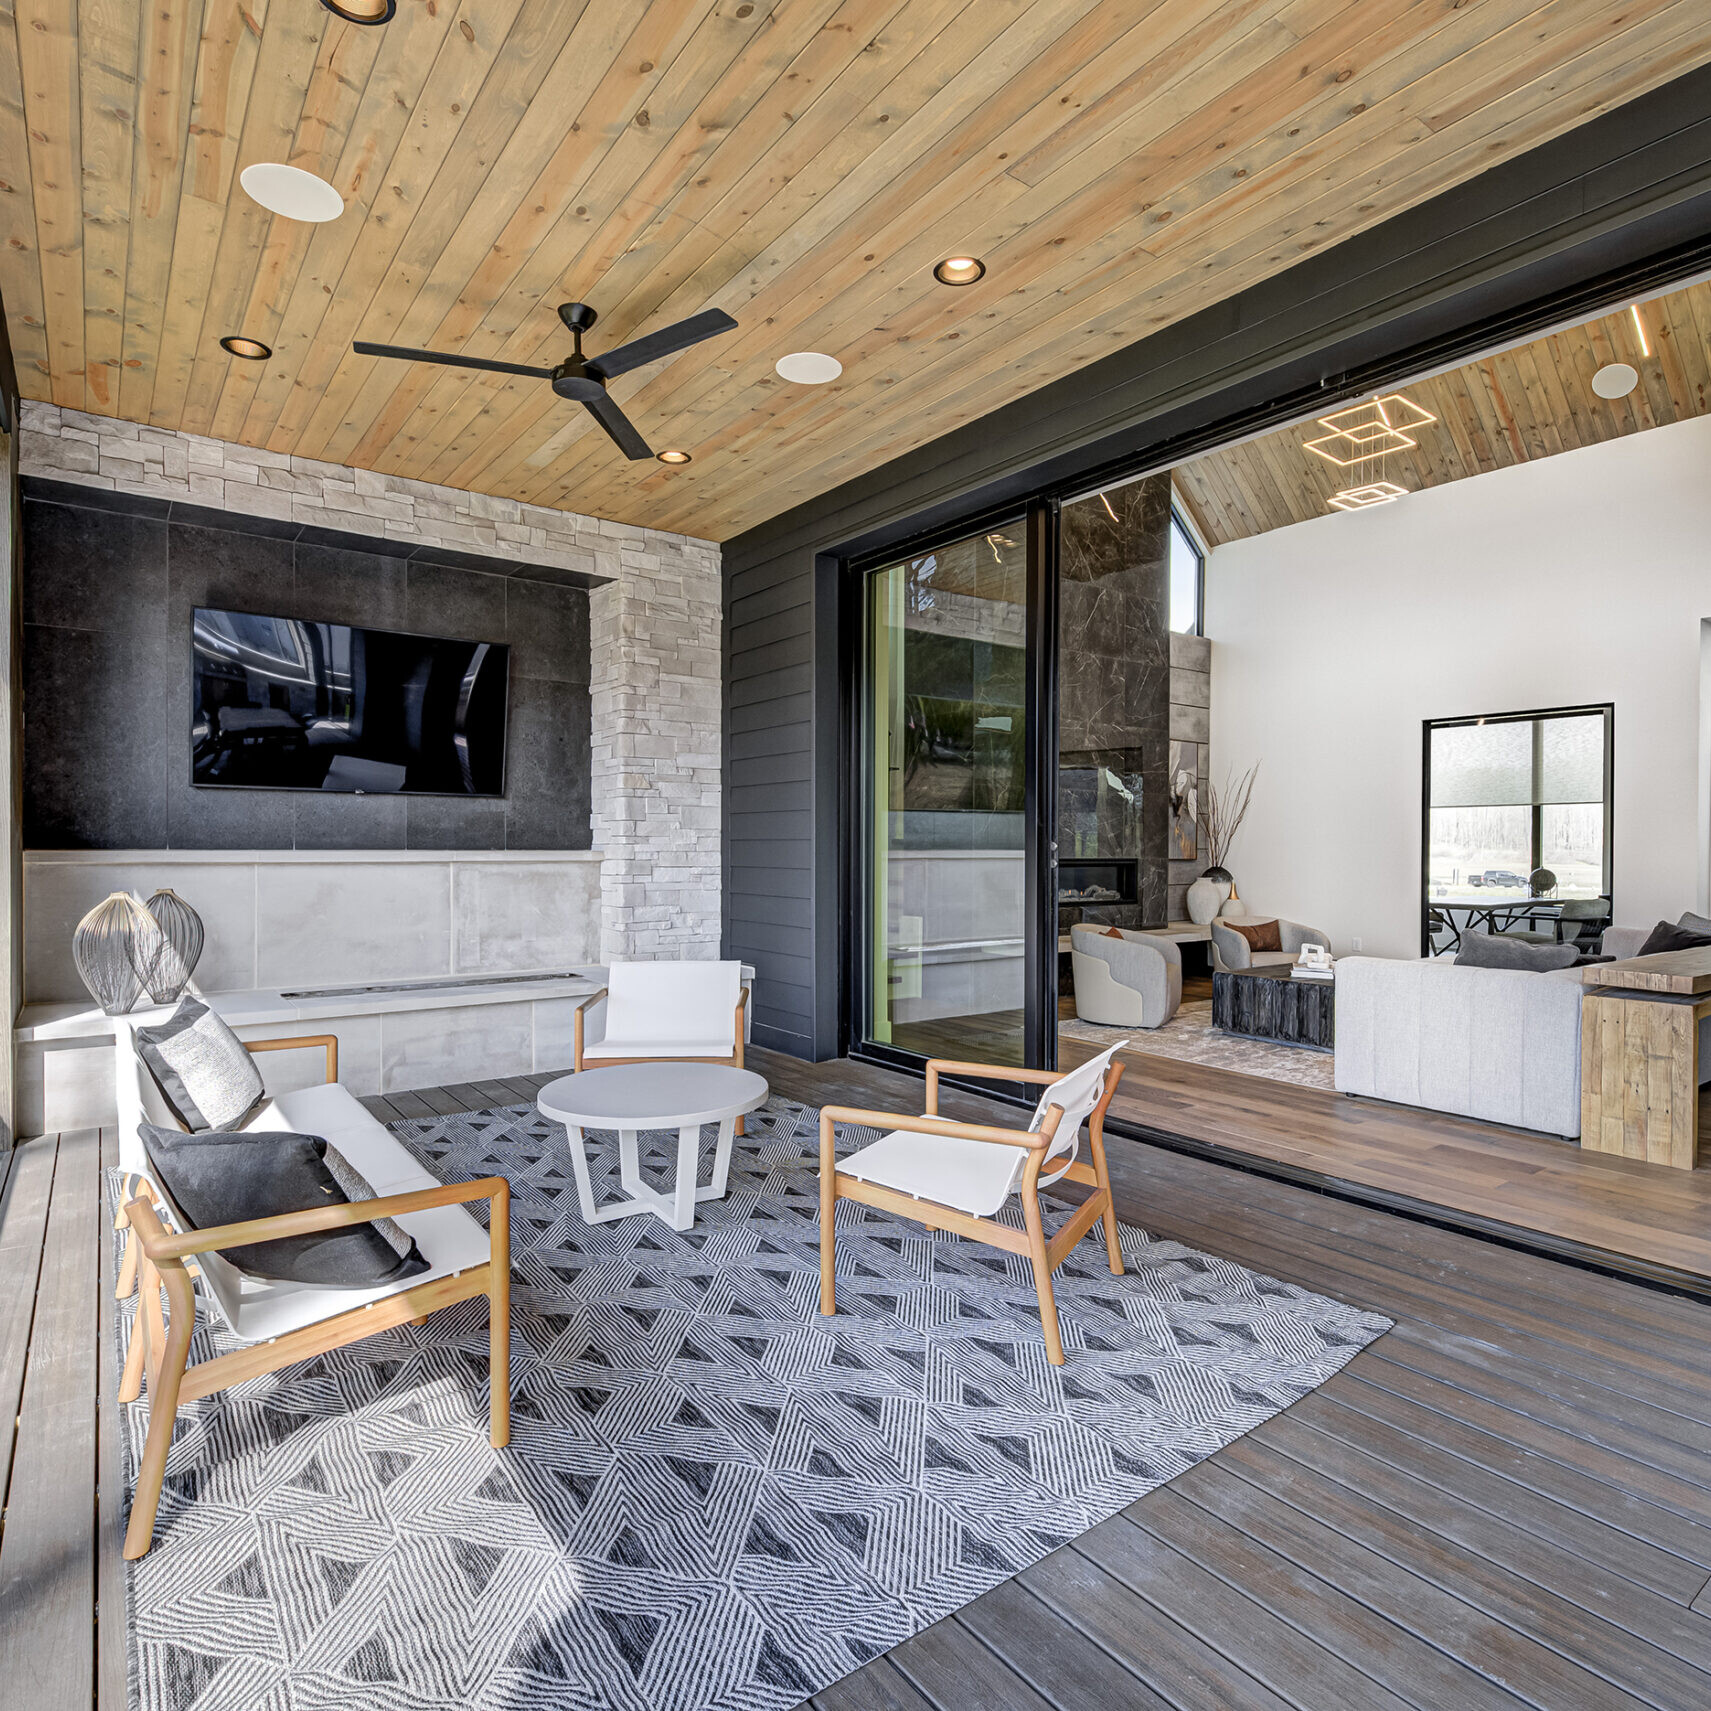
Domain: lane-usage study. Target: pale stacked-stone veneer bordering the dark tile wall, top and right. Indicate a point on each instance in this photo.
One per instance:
(654, 646)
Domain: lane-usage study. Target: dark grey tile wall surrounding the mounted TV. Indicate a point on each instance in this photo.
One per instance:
(107, 689)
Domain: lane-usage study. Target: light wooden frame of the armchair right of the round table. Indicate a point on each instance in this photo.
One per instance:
(1046, 1255)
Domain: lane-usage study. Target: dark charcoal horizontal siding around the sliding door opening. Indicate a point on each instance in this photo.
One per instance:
(1623, 199)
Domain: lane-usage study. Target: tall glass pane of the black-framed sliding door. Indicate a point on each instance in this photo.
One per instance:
(945, 767)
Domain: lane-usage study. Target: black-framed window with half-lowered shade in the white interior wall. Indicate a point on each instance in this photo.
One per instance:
(1517, 807)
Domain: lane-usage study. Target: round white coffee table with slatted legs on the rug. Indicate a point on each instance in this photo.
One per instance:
(653, 1096)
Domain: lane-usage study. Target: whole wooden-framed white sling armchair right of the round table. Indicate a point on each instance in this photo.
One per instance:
(959, 1176)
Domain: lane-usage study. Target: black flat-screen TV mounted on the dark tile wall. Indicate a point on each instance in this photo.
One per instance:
(281, 704)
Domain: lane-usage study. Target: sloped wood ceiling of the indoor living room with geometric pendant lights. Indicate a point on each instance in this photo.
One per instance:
(1503, 410)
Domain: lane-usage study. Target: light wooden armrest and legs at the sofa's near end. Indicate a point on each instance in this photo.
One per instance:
(160, 1346)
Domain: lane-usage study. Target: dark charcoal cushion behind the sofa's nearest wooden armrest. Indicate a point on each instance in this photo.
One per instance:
(222, 1178)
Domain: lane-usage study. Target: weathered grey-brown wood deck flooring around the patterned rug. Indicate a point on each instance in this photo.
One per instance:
(1505, 1503)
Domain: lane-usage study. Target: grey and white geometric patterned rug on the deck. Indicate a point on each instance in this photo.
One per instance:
(713, 1498)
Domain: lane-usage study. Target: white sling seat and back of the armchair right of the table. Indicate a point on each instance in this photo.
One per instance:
(980, 1176)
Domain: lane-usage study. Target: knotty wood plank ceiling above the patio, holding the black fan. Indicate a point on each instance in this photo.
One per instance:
(798, 163)
